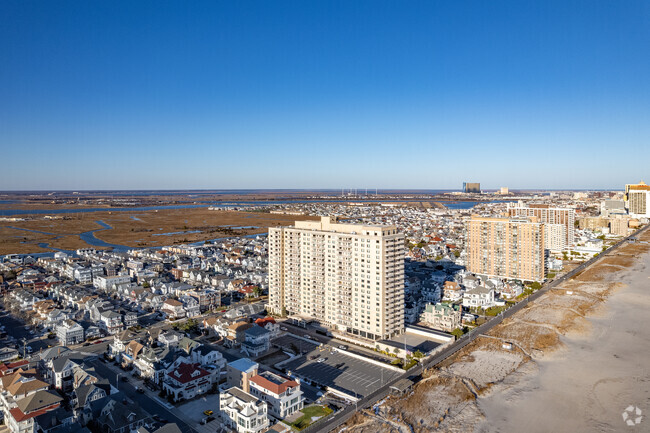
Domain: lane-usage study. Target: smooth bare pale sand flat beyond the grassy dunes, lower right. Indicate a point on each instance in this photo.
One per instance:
(587, 384)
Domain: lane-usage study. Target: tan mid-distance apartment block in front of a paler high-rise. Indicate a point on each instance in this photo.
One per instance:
(511, 248)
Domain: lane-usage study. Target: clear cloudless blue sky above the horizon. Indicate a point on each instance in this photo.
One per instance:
(324, 94)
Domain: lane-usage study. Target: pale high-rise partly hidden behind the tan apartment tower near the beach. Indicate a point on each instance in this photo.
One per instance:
(549, 215)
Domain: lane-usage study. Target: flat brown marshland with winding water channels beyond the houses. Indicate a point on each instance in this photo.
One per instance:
(135, 229)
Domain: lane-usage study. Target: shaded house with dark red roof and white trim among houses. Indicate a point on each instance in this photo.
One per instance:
(187, 380)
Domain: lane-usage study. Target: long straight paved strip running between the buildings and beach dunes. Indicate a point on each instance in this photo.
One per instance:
(331, 422)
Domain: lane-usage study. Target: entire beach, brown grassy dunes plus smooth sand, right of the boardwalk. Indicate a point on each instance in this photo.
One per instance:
(580, 358)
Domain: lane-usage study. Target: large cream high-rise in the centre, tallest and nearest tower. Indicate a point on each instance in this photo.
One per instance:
(349, 277)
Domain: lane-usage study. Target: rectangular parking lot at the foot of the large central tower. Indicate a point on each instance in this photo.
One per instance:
(336, 370)
